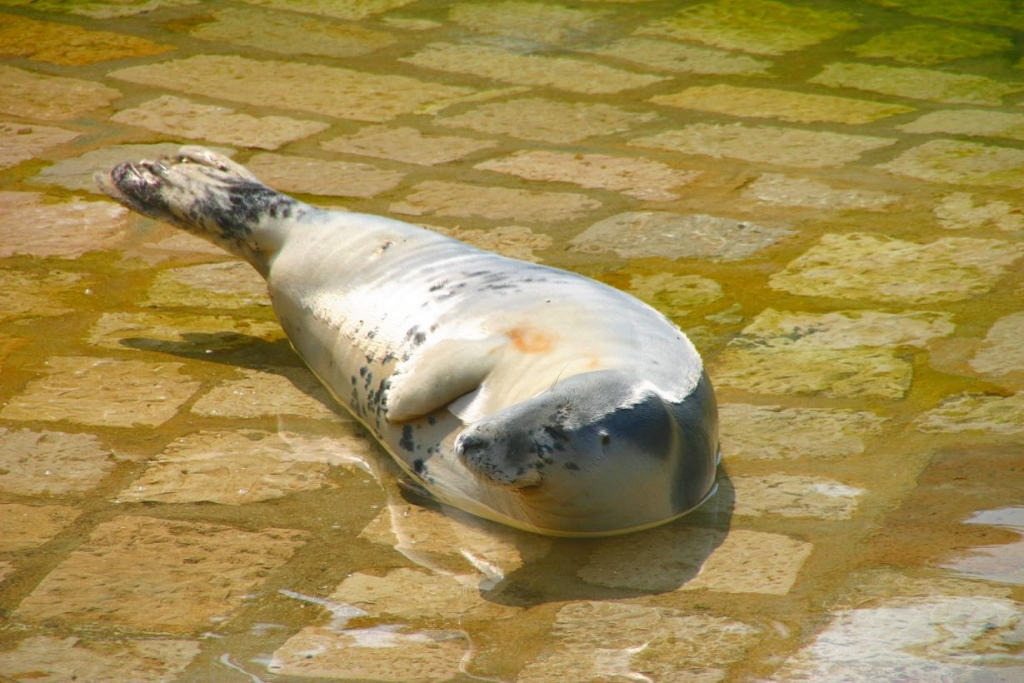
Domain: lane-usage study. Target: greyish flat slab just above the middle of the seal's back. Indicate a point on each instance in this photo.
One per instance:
(658, 234)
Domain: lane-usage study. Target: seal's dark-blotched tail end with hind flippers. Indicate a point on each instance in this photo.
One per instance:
(207, 195)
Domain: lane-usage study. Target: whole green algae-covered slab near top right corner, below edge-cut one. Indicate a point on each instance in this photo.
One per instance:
(929, 45)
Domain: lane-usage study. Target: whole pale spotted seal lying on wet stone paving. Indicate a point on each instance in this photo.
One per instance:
(521, 394)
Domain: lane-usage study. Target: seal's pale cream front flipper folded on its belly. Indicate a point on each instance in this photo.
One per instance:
(438, 374)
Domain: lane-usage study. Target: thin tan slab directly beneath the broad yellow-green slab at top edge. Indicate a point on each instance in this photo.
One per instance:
(665, 56)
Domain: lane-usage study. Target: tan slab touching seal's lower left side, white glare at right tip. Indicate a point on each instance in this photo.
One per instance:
(239, 467)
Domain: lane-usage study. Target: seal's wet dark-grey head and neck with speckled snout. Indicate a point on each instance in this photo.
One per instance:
(598, 445)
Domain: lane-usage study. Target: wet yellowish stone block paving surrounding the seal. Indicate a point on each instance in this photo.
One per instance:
(824, 195)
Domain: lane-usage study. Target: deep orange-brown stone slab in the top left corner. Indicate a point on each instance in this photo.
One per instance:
(69, 46)
